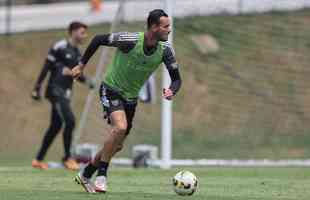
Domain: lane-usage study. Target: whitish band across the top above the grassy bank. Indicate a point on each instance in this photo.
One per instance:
(50, 16)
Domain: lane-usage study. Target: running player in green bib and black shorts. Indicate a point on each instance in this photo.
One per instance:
(138, 55)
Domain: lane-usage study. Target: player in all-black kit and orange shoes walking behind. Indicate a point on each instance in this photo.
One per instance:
(62, 56)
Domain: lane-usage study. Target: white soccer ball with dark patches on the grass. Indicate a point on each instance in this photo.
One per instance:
(185, 183)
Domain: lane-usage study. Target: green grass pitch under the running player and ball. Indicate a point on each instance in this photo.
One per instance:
(25, 183)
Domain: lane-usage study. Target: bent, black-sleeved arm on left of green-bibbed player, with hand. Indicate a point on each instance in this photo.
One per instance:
(122, 40)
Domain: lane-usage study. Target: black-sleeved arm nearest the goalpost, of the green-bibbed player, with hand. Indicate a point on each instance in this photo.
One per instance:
(173, 69)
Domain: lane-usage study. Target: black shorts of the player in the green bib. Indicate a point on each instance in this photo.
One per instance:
(111, 101)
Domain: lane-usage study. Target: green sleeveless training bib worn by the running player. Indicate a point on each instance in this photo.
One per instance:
(129, 71)
